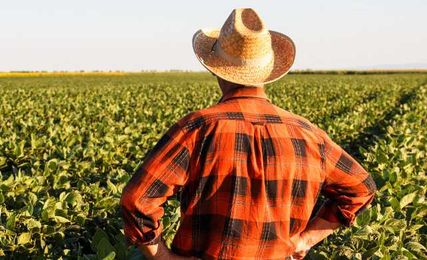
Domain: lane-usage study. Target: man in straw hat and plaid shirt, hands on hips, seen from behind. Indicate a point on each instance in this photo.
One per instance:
(247, 173)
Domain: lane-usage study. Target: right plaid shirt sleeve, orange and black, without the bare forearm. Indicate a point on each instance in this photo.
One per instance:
(348, 187)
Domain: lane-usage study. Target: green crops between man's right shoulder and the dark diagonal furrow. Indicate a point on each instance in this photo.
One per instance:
(323, 99)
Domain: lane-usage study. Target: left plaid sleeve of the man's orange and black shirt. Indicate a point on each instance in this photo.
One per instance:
(163, 171)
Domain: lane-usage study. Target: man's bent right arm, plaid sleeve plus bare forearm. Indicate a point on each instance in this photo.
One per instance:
(349, 190)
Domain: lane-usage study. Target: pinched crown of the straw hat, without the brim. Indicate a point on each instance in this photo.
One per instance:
(244, 36)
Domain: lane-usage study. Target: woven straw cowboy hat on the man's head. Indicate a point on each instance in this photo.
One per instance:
(244, 51)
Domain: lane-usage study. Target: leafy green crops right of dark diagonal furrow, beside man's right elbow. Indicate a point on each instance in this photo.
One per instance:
(395, 226)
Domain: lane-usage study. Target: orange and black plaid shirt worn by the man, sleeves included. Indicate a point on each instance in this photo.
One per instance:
(248, 175)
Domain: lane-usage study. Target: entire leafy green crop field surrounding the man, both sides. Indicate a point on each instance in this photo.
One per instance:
(70, 143)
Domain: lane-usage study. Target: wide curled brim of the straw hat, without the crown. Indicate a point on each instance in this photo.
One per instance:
(249, 74)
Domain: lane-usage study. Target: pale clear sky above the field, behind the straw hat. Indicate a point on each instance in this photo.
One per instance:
(156, 35)
